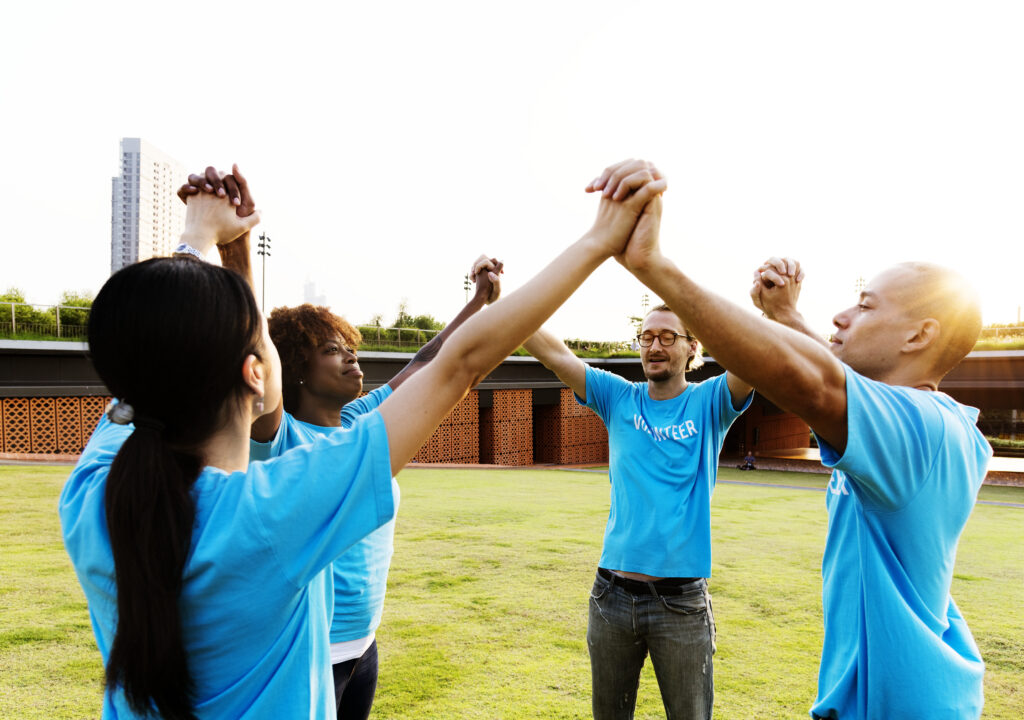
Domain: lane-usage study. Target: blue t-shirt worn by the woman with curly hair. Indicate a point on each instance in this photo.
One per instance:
(359, 578)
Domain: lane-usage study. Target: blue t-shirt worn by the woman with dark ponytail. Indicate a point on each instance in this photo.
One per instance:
(252, 603)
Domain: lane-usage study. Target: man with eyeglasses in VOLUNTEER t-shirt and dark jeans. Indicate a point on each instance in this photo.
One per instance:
(651, 594)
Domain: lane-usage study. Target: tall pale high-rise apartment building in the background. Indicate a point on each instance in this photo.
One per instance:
(147, 218)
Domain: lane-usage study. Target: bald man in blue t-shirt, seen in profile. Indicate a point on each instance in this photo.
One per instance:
(908, 464)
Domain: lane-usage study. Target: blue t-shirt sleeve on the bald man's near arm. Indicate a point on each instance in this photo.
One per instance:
(892, 441)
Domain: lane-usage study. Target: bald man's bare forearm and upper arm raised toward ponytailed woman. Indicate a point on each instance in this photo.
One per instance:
(789, 368)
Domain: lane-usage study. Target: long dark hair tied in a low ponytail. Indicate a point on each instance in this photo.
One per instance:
(167, 336)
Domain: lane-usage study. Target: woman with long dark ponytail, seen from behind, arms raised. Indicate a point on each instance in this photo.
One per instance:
(204, 574)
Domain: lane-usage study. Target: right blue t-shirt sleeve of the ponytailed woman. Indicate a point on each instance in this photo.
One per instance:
(316, 501)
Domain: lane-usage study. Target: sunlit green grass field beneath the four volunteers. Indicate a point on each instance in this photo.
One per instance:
(486, 616)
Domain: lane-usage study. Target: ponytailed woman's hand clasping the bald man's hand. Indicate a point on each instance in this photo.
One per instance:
(626, 189)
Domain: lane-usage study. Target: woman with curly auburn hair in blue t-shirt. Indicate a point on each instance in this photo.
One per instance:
(321, 382)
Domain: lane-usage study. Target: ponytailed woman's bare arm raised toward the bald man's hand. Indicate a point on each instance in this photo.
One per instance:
(414, 410)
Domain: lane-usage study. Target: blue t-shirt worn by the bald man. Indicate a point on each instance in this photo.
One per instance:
(895, 644)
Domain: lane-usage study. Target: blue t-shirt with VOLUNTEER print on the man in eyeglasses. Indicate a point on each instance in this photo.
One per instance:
(663, 464)
